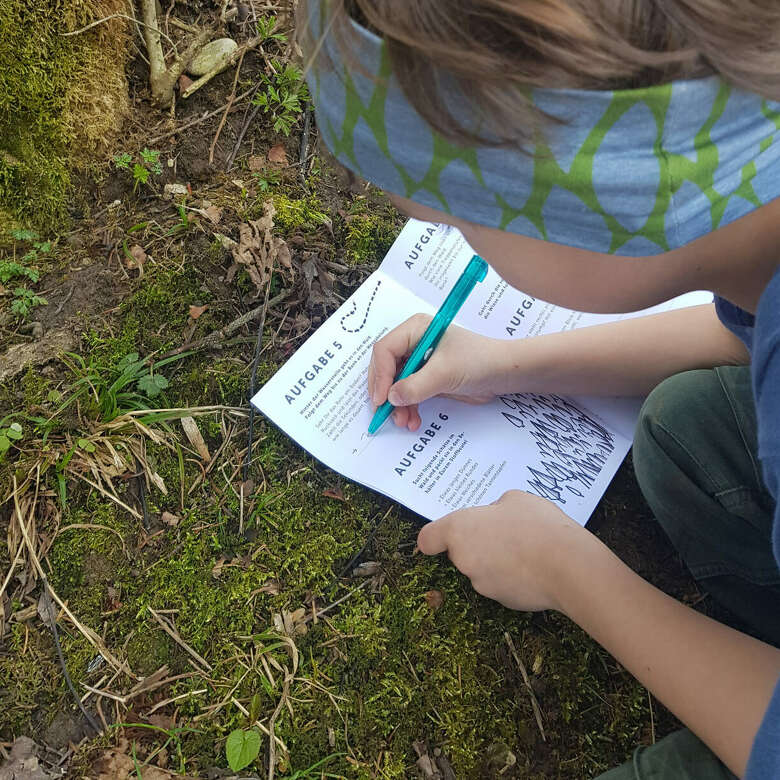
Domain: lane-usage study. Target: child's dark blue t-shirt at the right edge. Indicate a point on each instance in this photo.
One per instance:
(761, 334)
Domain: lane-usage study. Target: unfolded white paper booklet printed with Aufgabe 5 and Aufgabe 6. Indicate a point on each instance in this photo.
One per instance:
(563, 449)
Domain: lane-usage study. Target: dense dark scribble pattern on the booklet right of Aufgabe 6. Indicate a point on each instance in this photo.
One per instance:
(572, 446)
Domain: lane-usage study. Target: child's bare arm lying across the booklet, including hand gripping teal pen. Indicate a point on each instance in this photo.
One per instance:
(629, 357)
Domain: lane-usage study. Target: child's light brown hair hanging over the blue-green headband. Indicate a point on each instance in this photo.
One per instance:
(496, 49)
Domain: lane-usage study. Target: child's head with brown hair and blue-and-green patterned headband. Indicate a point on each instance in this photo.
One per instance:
(622, 128)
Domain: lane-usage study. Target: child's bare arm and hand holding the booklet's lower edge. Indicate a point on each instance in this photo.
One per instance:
(527, 554)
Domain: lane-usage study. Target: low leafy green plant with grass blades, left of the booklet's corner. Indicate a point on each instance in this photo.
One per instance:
(129, 385)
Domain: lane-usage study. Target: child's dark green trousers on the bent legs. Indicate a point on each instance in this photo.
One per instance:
(695, 455)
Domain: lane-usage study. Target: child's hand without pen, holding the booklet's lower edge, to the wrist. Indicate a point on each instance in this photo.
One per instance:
(514, 550)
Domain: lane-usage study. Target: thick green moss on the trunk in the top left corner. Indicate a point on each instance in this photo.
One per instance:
(59, 100)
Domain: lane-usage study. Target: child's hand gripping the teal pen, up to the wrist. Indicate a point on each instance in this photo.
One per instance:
(464, 366)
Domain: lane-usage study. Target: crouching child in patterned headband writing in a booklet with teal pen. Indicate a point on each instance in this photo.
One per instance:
(606, 157)
